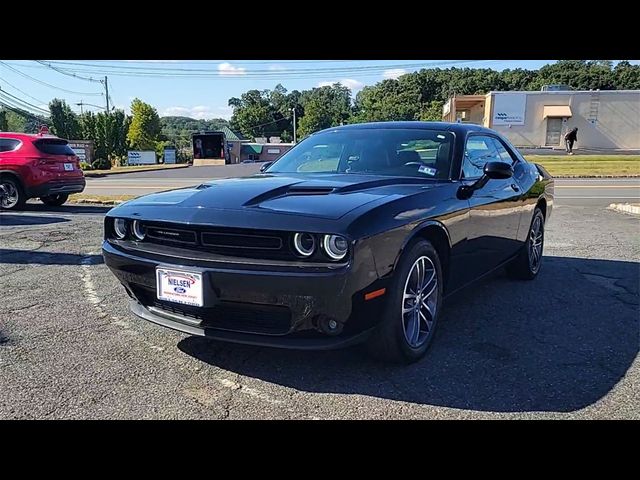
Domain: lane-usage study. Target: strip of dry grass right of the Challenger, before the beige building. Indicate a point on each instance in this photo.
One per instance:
(588, 165)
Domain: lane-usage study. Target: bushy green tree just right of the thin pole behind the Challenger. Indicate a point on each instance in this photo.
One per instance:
(324, 107)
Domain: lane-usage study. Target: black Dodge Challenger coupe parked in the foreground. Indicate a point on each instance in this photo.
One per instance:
(356, 234)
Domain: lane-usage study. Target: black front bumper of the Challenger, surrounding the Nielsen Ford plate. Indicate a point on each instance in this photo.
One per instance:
(243, 304)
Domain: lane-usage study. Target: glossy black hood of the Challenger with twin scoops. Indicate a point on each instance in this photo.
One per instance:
(323, 196)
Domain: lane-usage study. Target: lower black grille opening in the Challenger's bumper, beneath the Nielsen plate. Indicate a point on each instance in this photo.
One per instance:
(236, 317)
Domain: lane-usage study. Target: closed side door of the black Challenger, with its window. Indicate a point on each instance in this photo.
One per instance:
(494, 214)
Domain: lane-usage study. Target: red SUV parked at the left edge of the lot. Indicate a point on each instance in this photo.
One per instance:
(37, 166)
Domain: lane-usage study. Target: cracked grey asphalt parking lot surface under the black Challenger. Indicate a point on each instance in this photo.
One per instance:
(563, 346)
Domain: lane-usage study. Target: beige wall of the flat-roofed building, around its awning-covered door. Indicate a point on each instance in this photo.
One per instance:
(617, 125)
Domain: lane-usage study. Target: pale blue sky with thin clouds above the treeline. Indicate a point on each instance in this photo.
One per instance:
(200, 88)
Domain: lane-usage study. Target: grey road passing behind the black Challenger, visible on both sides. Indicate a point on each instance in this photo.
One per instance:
(592, 192)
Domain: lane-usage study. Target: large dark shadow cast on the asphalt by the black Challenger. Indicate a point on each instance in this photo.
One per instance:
(557, 344)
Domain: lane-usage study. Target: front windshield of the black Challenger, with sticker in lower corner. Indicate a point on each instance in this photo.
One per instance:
(375, 151)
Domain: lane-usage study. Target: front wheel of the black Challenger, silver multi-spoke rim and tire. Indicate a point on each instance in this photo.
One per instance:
(413, 307)
